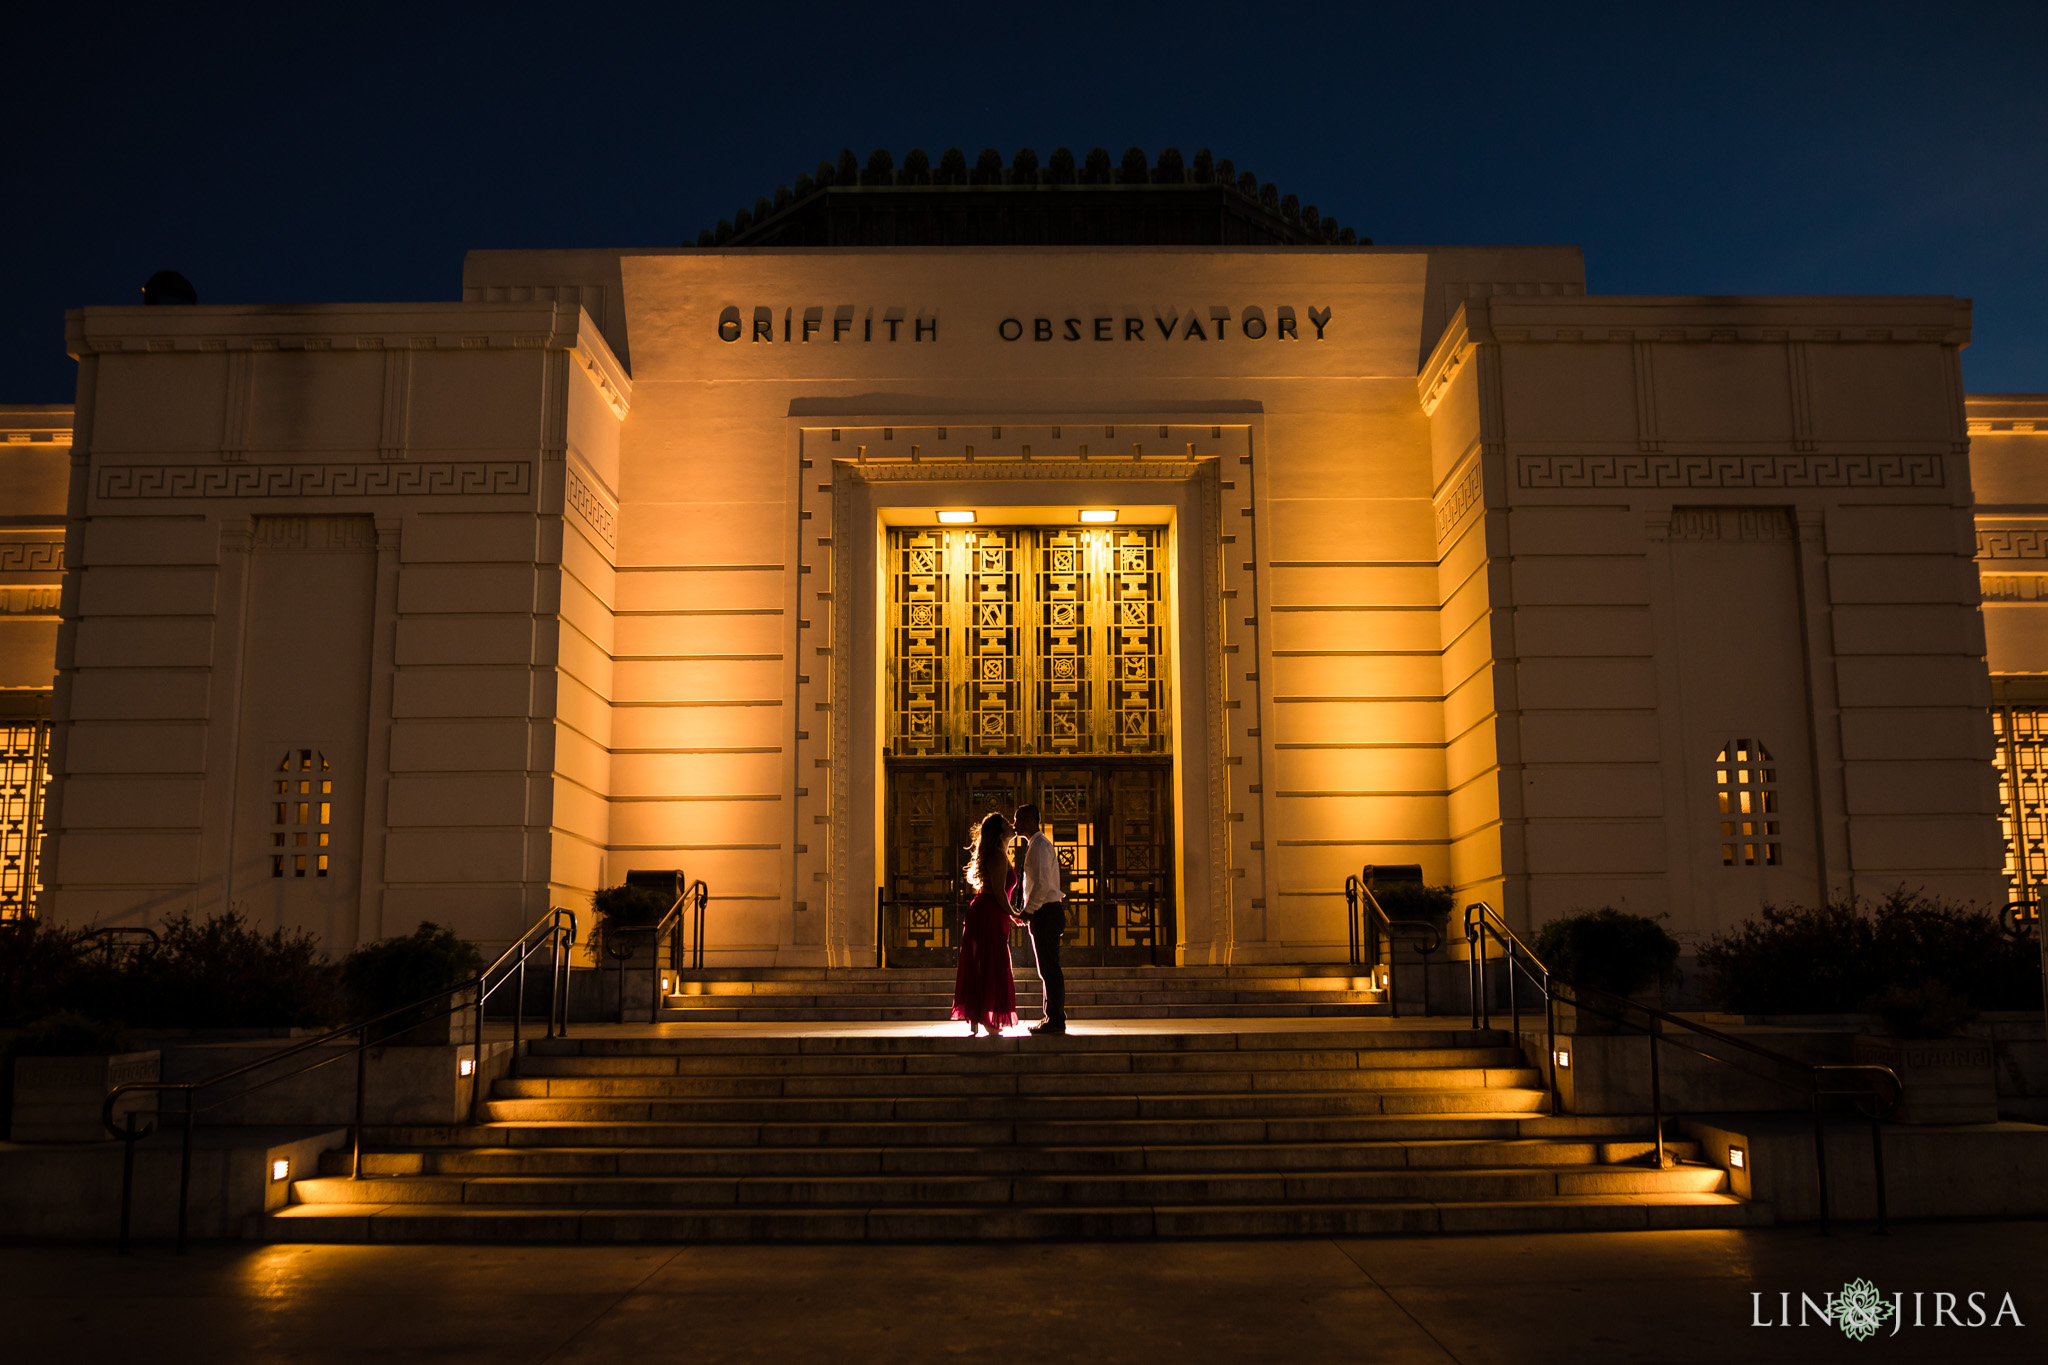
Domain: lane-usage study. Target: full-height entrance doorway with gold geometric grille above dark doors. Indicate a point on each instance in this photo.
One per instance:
(1029, 664)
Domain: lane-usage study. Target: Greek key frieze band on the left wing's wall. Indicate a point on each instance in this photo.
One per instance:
(382, 480)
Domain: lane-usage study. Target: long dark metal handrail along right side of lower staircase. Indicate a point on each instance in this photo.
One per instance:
(1519, 955)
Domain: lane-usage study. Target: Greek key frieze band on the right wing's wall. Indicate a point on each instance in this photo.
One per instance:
(1730, 472)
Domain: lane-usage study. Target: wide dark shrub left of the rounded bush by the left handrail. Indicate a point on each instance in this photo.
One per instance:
(222, 973)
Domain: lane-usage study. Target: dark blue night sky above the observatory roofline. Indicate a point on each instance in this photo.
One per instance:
(357, 155)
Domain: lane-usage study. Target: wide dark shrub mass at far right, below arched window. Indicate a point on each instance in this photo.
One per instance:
(1844, 957)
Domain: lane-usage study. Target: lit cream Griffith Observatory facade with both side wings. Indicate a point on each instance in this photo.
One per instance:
(632, 560)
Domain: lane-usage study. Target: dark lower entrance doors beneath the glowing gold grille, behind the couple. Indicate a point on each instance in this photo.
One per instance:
(1111, 822)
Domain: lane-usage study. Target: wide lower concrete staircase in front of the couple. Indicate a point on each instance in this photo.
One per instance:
(1121, 1135)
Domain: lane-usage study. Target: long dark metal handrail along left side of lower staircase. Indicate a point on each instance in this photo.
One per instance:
(554, 932)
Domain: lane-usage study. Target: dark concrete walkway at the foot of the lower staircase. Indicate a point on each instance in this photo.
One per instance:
(1572, 1298)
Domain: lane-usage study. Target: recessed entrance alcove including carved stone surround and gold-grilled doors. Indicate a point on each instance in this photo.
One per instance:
(1013, 652)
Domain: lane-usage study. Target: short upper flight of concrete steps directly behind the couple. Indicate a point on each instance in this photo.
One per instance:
(787, 996)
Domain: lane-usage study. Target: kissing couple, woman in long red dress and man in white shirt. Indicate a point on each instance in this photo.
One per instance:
(984, 992)
